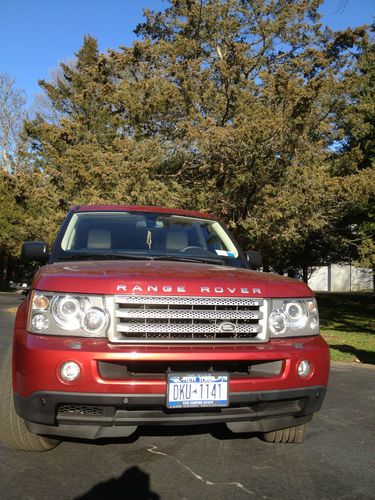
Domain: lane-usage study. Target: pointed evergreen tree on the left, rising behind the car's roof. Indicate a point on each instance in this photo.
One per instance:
(89, 156)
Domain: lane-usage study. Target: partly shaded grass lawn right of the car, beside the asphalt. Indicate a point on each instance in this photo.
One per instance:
(347, 323)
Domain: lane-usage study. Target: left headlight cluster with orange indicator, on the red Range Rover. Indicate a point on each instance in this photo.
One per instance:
(76, 315)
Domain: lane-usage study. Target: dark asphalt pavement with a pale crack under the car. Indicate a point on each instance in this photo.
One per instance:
(336, 461)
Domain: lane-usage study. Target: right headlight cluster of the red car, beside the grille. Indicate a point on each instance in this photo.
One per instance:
(293, 317)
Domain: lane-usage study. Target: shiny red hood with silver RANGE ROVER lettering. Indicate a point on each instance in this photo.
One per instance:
(164, 278)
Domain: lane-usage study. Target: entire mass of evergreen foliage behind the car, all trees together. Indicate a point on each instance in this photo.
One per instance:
(248, 109)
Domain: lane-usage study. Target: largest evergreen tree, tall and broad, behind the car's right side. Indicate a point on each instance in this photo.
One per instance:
(245, 93)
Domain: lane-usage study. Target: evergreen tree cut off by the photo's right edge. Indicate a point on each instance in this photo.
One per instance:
(355, 160)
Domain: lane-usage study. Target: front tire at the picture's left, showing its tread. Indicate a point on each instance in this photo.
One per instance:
(13, 431)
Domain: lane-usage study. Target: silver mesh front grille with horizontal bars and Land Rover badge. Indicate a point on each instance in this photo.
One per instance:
(194, 319)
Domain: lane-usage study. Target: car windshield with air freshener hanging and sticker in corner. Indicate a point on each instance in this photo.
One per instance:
(147, 236)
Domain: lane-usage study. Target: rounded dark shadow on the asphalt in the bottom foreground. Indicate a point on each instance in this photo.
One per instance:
(133, 484)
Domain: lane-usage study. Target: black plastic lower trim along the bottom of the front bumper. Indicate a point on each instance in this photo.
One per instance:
(139, 409)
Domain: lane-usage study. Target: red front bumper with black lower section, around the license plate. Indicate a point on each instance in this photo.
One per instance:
(121, 387)
